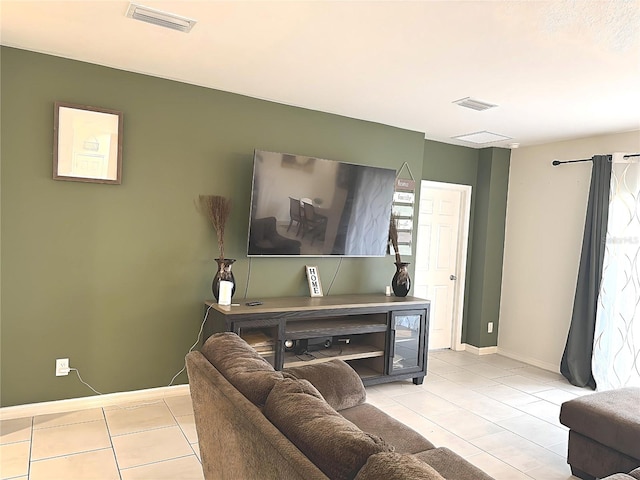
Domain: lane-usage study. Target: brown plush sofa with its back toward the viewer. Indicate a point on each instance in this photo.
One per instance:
(309, 422)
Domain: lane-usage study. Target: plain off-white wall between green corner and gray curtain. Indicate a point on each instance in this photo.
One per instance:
(546, 208)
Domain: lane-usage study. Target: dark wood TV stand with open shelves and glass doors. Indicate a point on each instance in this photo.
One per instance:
(382, 338)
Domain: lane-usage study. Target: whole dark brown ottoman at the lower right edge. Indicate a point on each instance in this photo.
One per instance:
(604, 435)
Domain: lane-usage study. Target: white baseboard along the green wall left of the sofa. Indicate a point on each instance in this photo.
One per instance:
(96, 401)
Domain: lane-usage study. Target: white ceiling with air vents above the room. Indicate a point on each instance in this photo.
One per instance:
(556, 69)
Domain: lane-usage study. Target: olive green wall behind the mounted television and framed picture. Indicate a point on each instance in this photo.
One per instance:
(114, 276)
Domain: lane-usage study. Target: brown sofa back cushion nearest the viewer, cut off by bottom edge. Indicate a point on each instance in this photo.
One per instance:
(396, 466)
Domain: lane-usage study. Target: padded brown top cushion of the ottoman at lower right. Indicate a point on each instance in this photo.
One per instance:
(611, 418)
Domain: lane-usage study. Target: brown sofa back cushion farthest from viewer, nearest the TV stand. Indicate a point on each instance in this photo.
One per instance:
(241, 365)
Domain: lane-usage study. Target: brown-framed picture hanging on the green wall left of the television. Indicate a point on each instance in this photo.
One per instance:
(87, 144)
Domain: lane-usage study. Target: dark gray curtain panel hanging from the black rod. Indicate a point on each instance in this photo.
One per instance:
(576, 359)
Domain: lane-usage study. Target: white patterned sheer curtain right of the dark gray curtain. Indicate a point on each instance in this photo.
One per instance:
(616, 348)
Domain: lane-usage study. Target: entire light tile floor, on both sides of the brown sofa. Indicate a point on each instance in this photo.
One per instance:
(499, 414)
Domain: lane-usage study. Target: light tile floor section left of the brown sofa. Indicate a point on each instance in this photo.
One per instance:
(150, 440)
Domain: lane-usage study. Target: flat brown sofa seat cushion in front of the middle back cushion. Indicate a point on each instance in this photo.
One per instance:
(372, 420)
